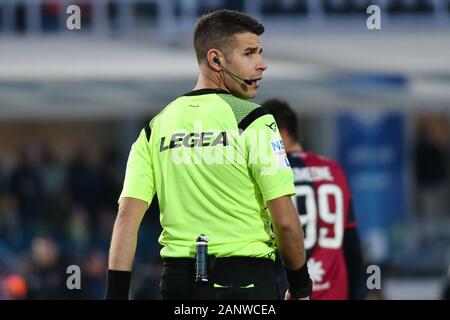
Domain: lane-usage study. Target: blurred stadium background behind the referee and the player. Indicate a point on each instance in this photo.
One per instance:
(72, 102)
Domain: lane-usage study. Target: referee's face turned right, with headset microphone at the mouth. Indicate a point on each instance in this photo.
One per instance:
(246, 62)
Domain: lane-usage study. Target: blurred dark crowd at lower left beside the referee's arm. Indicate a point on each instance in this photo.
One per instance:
(54, 214)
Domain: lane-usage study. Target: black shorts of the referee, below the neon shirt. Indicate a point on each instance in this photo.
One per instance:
(235, 278)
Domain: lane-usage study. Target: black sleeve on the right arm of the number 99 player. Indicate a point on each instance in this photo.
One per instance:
(355, 263)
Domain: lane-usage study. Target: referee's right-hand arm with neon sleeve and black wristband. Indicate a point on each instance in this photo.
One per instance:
(271, 170)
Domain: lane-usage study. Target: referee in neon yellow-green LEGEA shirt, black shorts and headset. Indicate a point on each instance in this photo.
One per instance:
(218, 166)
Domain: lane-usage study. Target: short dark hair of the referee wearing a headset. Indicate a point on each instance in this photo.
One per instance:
(216, 30)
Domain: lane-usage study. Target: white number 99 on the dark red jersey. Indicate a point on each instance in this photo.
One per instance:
(309, 218)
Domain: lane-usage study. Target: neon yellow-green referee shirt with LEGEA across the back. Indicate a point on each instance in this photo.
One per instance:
(214, 161)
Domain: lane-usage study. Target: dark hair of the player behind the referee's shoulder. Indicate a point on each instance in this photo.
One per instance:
(283, 114)
